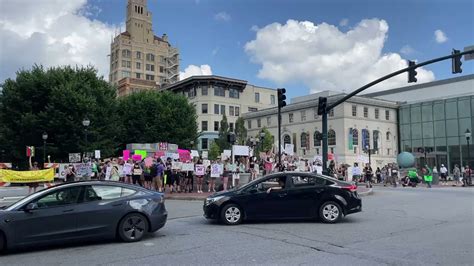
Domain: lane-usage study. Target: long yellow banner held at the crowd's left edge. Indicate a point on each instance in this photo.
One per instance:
(11, 176)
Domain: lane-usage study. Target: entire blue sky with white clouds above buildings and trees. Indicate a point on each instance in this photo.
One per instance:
(305, 46)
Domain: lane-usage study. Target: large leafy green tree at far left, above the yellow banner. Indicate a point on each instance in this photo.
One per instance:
(56, 100)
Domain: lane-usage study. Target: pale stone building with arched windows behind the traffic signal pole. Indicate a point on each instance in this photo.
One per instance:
(354, 127)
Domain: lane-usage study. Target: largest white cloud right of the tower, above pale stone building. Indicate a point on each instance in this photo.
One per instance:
(322, 57)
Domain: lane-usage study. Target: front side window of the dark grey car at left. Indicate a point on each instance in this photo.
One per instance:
(60, 197)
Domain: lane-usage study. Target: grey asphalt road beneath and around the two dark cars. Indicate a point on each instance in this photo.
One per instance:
(399, 226)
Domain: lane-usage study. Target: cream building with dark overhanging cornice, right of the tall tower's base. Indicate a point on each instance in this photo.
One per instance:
(214, 96)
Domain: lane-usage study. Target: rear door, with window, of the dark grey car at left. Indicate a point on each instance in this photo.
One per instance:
(103, 207)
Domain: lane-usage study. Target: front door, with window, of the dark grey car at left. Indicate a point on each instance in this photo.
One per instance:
(54, 218)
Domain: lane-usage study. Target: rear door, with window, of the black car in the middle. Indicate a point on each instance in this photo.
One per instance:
(303, 194)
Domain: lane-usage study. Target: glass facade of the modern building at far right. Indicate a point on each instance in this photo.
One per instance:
(435, 131)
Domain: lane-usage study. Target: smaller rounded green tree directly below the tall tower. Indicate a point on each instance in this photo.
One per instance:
(150, 117)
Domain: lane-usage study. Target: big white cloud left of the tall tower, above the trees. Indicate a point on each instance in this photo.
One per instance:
(52, 33)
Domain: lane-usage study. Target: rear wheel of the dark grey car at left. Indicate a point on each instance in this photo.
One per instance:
(132, 227)
